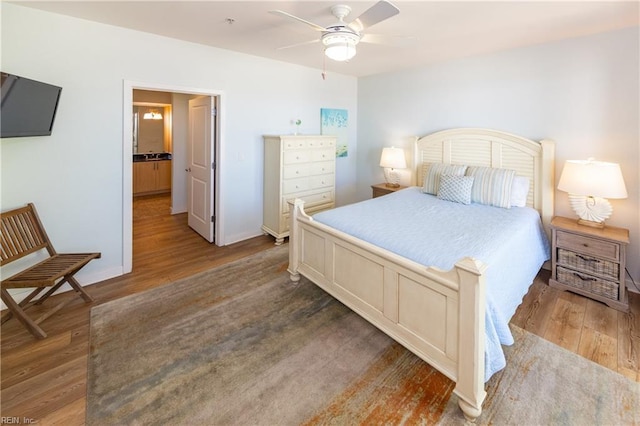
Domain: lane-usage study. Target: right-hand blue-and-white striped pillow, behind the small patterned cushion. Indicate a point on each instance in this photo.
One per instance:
(491, 186)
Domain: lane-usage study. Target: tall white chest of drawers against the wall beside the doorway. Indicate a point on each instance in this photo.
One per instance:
(296, 166)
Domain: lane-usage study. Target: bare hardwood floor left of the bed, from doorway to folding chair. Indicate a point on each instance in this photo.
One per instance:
(46, 380)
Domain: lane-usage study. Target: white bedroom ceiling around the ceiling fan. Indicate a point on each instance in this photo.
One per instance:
(440, 31)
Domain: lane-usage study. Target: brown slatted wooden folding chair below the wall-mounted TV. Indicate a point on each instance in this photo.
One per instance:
(22, 233)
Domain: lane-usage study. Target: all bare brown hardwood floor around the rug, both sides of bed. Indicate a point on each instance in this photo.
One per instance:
(45, 380)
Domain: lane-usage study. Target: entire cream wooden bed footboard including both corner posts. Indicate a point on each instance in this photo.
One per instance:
(438, 315)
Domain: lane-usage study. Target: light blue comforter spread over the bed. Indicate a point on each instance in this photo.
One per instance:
(433, 232)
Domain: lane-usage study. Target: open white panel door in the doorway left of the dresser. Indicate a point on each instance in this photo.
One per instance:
(200, 151)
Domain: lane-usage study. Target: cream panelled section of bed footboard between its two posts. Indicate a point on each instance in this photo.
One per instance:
(417, 311)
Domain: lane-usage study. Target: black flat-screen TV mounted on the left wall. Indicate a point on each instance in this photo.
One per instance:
(27, 107)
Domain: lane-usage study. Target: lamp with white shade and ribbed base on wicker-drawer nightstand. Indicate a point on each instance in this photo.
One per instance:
(589, 184)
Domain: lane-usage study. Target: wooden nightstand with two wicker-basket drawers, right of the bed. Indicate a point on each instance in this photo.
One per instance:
(590, 261)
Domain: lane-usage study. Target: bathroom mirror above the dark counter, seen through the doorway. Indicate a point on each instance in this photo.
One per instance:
(151, 128)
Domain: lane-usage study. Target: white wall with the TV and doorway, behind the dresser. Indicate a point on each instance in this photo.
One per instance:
(75, 176)
